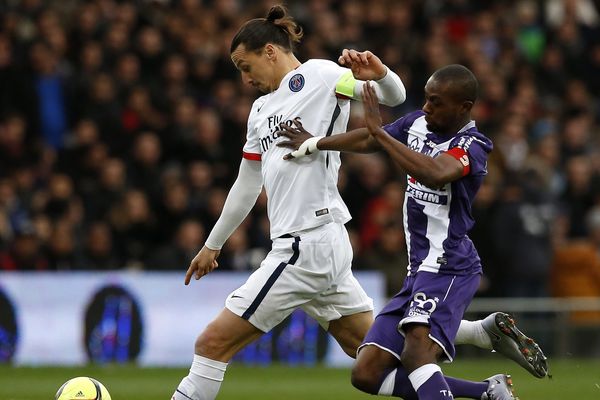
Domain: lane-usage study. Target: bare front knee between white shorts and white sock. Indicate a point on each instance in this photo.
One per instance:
(225, 336)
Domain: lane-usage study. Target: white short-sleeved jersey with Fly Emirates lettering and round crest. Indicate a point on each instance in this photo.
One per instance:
(302, 193)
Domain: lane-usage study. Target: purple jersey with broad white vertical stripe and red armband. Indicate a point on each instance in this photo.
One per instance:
(436, 220)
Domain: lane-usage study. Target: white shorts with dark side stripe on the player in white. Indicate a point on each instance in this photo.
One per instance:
(311, 270)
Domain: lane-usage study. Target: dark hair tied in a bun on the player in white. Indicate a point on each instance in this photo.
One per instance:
(278, 28)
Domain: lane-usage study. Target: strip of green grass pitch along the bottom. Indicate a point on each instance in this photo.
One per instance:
(572, 380)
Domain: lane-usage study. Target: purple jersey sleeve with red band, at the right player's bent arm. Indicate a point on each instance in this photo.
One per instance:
(472, 152)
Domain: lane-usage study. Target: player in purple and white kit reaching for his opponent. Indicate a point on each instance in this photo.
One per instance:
(445, 158)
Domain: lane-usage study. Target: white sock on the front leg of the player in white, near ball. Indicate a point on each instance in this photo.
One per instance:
(203, 381)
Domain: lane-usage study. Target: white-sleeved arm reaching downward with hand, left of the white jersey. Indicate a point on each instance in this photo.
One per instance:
(240, 200)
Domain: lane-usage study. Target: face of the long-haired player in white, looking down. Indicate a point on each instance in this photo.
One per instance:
(256, 68)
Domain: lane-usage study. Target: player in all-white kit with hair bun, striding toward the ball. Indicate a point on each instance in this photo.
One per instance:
(309, 266)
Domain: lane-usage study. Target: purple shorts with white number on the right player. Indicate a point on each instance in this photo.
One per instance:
(437, 300)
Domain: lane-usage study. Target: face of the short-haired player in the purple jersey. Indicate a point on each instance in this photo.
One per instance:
(445, 112)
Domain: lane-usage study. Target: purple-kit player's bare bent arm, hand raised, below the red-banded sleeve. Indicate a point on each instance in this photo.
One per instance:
(432, 172)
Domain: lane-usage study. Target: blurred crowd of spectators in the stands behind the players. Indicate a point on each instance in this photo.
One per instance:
(122, 124)
